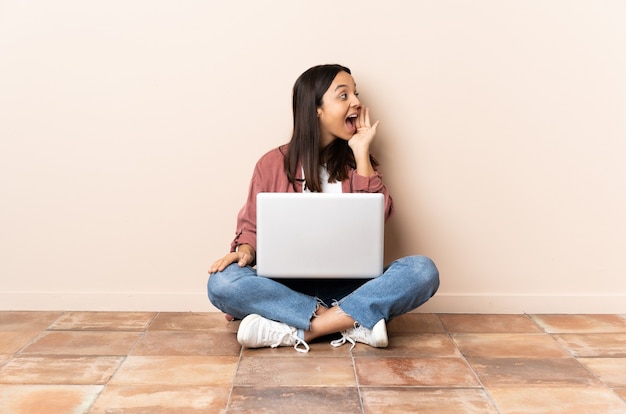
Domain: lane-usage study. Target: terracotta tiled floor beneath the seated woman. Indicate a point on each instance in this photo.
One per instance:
(93, 362)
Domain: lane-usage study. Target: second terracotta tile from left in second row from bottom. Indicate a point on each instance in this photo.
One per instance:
(176, 370)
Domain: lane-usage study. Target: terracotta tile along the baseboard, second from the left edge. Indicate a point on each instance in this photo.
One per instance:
(103, 321)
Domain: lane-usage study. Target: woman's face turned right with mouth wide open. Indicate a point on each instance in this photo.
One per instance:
(339, 111)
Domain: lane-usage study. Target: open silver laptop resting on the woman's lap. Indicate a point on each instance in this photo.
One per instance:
(320, 235)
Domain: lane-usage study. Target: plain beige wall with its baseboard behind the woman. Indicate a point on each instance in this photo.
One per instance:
(129, 130)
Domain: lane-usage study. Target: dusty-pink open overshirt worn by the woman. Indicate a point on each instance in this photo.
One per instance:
(269, 177)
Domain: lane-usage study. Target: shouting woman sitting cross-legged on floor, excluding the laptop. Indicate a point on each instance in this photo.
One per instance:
(329, 151)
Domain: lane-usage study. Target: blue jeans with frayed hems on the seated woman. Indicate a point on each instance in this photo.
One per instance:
(404, 285)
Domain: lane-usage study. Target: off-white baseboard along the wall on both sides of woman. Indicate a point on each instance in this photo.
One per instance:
(198, 302)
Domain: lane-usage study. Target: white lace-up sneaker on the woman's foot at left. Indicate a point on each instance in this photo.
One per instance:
(256, 331)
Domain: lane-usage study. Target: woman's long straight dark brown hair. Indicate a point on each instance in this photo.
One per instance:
(308, 92)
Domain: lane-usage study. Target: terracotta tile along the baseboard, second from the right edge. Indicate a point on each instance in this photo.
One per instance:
(486, 323)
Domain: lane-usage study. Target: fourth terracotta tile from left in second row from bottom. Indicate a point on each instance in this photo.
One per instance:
(403, 372)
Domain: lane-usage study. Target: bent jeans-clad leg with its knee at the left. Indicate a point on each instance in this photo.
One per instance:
(239, 292)
